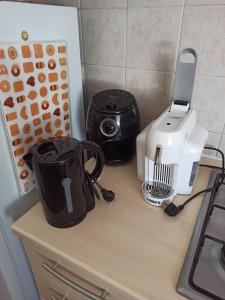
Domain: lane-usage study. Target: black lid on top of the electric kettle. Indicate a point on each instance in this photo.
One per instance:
(56, 149)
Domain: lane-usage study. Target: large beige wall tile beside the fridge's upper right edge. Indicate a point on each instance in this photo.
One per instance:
(104, 32)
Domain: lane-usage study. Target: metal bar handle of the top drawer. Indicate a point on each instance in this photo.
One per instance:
(73, 285)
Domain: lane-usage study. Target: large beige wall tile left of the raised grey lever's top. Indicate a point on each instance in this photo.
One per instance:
(152, 37)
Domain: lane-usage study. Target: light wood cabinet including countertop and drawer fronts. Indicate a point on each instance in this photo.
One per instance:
(123, 250)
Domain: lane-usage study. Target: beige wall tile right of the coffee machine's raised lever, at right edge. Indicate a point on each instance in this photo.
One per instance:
(209, 99)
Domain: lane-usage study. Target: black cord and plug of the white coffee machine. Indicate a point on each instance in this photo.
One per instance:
(172, 210)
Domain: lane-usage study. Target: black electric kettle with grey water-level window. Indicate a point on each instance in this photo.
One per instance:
(66, 189)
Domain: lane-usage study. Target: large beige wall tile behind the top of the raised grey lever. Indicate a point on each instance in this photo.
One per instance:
(203, 29)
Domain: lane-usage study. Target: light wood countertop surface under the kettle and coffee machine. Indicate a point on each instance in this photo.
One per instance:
(128, 242)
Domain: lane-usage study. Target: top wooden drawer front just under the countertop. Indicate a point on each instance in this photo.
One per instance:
(50, 266)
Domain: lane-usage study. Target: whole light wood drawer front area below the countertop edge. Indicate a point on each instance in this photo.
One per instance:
(60, 279)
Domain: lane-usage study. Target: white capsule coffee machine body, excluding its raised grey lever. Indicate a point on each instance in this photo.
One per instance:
(168, 152)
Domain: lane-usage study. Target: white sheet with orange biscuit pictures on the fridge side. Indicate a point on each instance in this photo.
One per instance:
(34, 99)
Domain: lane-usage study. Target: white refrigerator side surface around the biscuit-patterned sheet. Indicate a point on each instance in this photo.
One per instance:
(44, 23)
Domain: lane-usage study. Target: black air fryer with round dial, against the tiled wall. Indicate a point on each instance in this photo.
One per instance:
(113, 122)
